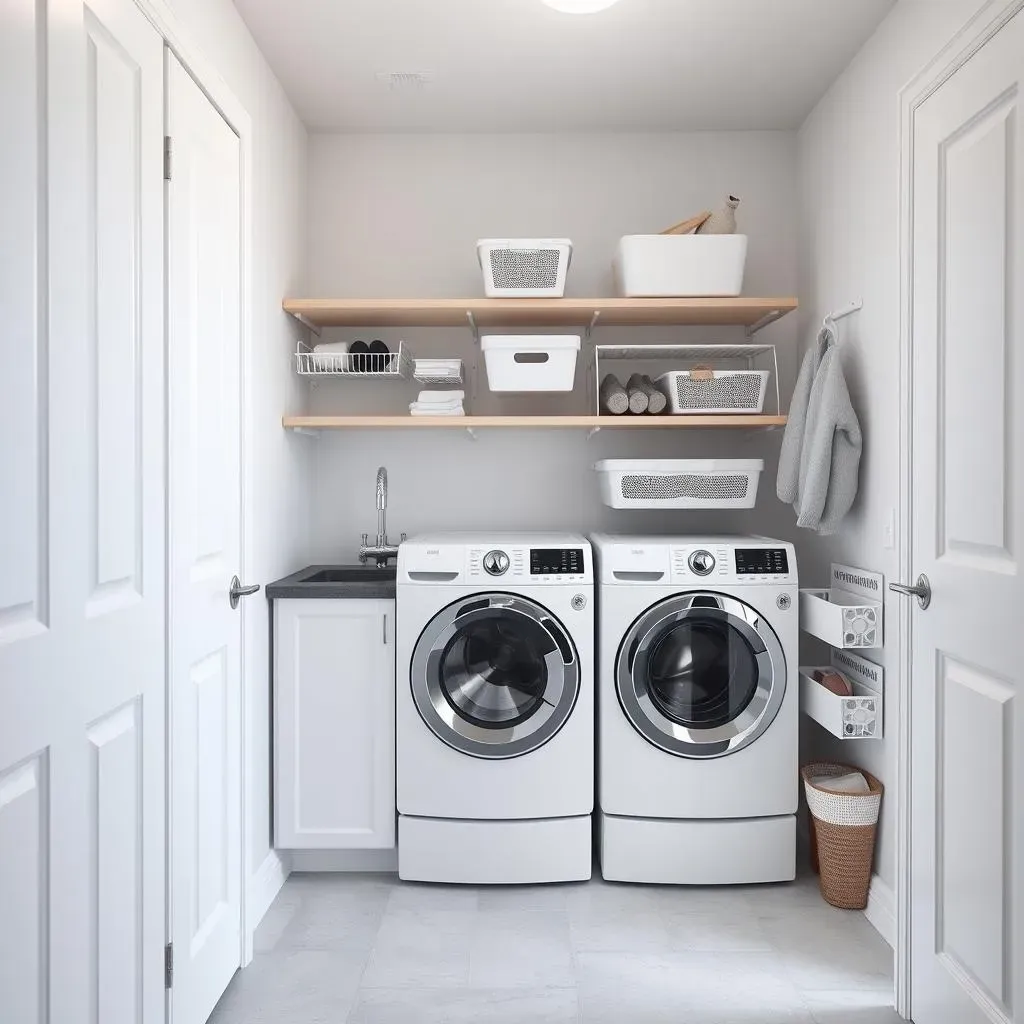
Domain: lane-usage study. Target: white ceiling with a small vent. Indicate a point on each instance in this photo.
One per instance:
(519, 66)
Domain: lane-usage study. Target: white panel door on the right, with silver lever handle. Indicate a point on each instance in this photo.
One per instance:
(968, 451)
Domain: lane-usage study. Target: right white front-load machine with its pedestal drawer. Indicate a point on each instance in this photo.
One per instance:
(698, 709)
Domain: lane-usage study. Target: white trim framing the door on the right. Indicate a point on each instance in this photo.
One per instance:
(986, 24)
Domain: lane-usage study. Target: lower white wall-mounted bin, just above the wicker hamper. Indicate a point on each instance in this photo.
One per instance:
(857, 717)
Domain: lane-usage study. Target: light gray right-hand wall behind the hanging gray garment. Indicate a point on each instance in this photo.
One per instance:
(850, 214)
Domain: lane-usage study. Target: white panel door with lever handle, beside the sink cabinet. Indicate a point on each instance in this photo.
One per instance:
(204, 366)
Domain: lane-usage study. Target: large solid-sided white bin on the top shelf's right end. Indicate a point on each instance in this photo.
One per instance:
(684, 266)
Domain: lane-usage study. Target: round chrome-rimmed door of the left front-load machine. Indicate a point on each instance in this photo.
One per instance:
(495, 676)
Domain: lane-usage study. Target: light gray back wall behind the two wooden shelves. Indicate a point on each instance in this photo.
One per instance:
(400, 216)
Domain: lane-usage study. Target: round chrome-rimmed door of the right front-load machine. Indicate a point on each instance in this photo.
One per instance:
(701, 675)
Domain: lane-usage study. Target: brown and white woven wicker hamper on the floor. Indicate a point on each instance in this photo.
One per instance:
(843, 830)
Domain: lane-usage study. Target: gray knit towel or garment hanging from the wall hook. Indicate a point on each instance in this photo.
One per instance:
(820, 464)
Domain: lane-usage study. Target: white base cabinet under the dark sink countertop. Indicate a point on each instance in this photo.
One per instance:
(334, 724)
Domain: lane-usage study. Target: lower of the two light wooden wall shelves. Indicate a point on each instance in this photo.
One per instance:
(532, 422)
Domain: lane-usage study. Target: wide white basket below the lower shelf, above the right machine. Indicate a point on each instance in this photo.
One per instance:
(679, 484)
